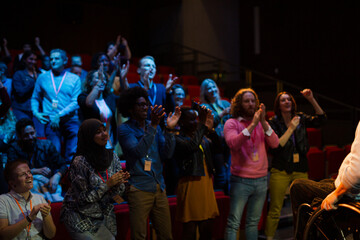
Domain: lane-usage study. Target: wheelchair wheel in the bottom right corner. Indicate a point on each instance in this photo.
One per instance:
(343, 223)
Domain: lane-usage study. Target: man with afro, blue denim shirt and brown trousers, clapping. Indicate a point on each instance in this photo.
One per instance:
(145, 146)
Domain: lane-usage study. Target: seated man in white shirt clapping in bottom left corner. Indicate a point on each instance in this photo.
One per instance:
(23, 215)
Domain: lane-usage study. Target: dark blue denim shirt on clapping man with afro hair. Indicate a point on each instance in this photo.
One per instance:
(139, 145)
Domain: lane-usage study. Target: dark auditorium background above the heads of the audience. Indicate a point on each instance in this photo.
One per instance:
(311, 44)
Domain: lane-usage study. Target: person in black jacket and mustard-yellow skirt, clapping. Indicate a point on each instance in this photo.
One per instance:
(196, 202)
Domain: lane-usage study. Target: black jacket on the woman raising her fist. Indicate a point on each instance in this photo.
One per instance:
(283, 156)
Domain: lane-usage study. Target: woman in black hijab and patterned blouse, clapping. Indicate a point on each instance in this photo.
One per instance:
(96, 182)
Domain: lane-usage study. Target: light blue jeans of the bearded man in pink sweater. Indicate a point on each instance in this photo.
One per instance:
(245, 190)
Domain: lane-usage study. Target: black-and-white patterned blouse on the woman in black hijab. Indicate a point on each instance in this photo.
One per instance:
(89, 202)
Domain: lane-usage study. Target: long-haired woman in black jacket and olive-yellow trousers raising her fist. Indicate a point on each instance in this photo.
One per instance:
(289, 158)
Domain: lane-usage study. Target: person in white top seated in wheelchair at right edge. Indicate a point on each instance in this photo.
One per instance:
(326, 195)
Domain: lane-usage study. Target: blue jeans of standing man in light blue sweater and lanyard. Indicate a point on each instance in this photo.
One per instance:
(67, 132)
